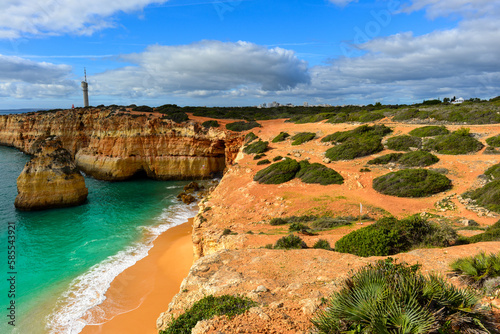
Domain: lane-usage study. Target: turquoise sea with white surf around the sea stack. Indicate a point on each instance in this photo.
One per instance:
(66, 258)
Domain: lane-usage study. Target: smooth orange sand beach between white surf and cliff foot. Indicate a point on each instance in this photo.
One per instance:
(139, 294)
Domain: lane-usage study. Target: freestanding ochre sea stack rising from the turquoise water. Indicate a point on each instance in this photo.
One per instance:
(50, 179)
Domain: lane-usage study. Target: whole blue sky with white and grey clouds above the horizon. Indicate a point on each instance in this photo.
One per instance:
(247, 52)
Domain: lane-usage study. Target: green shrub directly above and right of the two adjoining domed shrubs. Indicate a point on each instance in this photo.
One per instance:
(355, 148)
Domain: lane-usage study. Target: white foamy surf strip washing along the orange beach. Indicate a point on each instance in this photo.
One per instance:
(72, 311)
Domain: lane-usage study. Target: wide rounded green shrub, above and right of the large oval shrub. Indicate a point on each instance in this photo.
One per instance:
(454, 144)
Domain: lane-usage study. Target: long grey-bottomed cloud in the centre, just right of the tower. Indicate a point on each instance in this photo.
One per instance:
(203, 68)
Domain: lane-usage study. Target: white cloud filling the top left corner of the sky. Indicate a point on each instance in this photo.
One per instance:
(49, 17)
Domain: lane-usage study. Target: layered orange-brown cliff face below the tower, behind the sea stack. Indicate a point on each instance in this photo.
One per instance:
(111, 145)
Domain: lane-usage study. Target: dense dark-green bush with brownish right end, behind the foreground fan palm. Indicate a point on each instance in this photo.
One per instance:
(389, 236)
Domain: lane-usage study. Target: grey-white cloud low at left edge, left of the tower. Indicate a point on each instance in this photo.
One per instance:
(25, 79)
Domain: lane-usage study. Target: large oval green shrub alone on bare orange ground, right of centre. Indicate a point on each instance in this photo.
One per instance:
(411, 183)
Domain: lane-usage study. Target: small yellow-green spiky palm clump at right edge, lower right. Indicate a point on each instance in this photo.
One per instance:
(477, 269)
